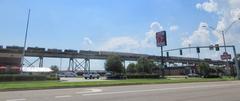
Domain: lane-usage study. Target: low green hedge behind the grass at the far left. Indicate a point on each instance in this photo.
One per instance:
(18, 77)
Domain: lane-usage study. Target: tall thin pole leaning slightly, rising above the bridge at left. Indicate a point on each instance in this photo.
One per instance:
(25, 39)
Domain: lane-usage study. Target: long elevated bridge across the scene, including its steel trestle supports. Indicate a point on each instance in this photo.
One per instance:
(86, 55)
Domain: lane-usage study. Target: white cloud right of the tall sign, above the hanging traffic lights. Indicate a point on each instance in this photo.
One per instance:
(199, 37)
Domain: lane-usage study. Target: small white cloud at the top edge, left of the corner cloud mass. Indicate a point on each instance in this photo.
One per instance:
(209, 6)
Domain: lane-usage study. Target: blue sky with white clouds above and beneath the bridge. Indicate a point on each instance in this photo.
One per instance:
(120, 25)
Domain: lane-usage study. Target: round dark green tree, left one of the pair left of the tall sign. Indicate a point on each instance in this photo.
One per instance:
(114, 64)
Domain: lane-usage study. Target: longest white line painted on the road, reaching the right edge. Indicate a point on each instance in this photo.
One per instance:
(162, 89)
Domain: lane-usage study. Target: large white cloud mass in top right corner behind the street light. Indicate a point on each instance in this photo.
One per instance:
(231, 13)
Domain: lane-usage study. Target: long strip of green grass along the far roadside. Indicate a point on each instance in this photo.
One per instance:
(27, 85)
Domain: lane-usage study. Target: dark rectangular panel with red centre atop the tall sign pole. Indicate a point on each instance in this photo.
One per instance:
(161, 38)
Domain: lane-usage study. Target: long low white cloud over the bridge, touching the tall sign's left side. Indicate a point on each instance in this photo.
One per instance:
(129, 44)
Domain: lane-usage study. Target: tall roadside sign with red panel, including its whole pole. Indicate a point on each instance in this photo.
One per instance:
(161, 40)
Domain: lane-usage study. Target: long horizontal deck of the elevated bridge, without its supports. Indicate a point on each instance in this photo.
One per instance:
(104, 55)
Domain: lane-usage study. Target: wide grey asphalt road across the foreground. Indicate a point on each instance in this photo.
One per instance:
(207, 91)
